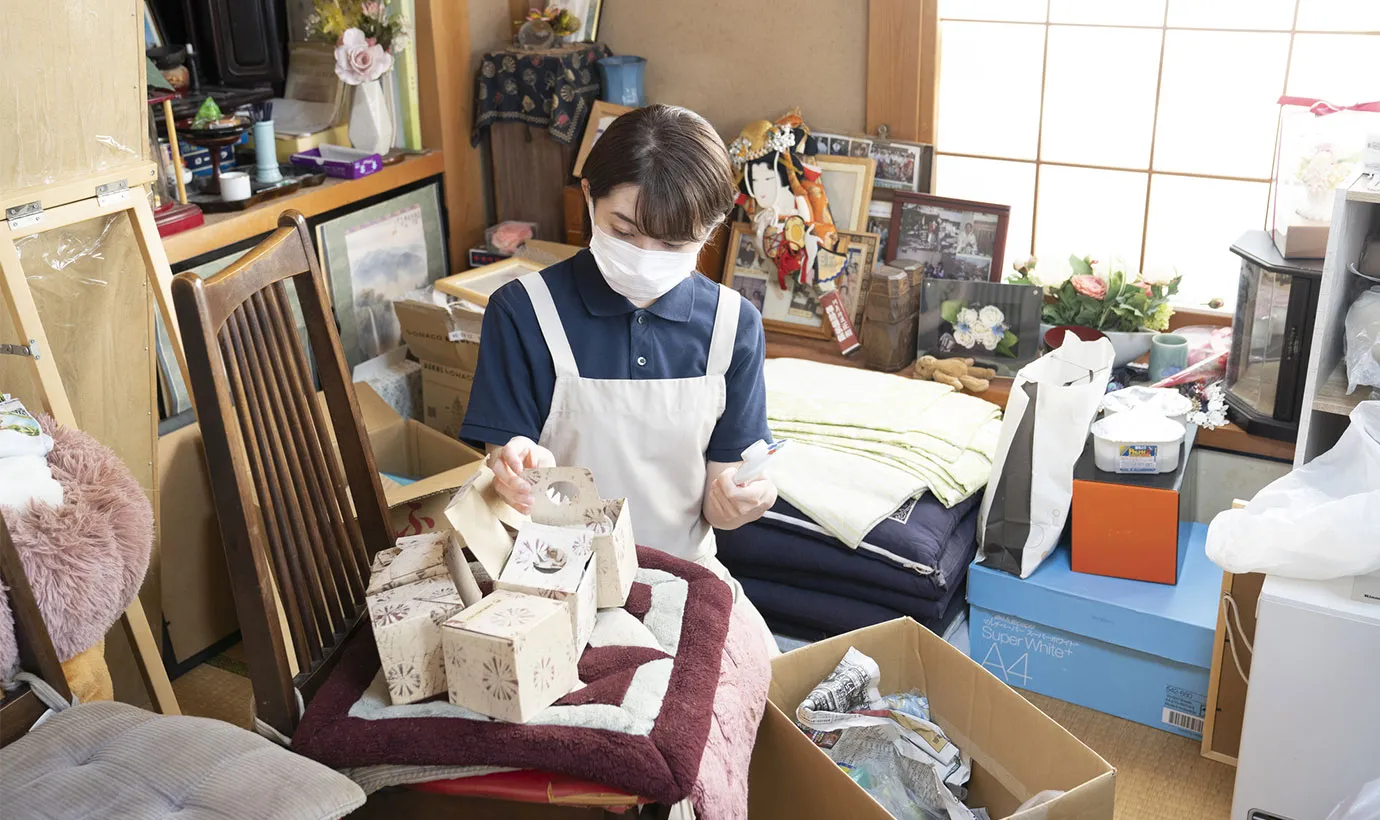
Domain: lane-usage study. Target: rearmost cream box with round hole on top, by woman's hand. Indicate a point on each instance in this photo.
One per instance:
(568, 498)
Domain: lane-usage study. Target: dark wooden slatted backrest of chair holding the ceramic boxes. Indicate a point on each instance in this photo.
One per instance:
(296, 551)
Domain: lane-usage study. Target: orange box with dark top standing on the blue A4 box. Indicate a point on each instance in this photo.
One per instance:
(1127, 527)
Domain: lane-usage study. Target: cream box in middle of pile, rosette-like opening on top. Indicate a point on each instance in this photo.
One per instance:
(557, 564)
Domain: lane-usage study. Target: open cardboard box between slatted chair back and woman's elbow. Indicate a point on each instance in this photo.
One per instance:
(411, 449)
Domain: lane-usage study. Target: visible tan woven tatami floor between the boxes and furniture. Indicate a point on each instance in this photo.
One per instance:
(1160, 777)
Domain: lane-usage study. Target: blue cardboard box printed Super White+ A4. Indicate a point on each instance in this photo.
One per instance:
(1134, 650)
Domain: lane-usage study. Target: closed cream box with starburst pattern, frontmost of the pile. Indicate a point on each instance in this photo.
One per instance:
(510, 656)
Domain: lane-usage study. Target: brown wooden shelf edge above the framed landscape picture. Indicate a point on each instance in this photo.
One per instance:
(224, 230)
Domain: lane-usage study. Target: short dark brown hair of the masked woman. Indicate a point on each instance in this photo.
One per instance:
(678, 161)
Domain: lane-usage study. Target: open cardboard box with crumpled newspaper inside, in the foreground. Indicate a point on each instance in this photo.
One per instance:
(1018, 752)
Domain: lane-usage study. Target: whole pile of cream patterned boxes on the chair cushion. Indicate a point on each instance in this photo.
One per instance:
(515, 652)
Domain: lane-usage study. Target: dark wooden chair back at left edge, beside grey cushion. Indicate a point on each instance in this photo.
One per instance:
(21, 707)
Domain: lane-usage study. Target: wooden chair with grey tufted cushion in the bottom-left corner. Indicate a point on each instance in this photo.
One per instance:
(114, 760)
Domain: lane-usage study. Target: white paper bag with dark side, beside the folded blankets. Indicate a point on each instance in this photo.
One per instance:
(1052, 405)
